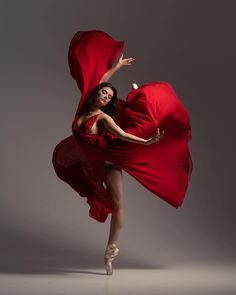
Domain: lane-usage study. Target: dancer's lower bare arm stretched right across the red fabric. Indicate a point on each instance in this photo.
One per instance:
(115, 129)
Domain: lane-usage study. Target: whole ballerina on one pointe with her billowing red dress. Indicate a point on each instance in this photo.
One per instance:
(111, 135)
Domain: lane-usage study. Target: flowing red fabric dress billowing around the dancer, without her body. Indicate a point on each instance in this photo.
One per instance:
(164, 167)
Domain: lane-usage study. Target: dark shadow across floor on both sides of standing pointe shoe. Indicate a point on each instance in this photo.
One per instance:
(65, 264)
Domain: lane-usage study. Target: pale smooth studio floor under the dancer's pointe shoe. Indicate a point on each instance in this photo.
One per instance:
(191, 280)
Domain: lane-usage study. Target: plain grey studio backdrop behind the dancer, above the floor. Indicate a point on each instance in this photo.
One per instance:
(190, 44)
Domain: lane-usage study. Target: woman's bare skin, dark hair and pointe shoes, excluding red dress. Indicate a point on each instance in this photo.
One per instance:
(102, 102)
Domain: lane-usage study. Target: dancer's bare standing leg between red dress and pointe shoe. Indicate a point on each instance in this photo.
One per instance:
(114, 183)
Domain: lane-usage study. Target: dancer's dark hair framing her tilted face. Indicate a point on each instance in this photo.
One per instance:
(110, 108)
